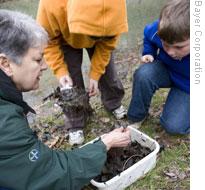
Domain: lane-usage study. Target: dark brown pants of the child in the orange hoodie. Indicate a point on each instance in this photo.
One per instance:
(109, 84)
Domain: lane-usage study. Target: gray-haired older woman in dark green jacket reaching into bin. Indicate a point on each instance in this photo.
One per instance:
(25, 162)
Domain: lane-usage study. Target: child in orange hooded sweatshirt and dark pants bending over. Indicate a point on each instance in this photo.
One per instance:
(95, 26)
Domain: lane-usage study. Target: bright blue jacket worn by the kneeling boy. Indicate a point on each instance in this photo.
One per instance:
(179, 70)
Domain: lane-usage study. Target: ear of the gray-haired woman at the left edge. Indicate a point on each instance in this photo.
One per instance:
(5, 65)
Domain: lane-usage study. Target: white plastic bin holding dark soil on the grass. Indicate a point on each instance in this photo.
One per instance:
(139, 169)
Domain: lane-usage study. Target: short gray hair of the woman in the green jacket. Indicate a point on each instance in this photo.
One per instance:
(18, 33)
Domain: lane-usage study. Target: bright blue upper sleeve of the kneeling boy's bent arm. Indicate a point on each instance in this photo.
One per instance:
(149, 47)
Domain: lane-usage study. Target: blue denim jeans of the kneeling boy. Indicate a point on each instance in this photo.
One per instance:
(148, 78)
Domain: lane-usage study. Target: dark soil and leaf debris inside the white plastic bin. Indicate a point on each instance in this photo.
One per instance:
(119, 159)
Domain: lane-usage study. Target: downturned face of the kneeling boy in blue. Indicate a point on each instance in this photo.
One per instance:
(177, 50)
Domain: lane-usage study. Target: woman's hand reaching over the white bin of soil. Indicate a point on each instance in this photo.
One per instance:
(119, 137)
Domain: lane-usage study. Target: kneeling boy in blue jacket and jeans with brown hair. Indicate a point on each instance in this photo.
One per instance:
(166, 58)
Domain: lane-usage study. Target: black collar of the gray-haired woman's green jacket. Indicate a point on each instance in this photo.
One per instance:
(9, 92)
